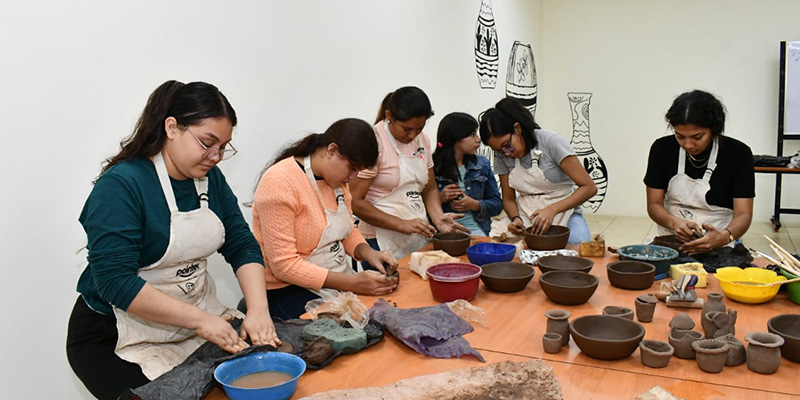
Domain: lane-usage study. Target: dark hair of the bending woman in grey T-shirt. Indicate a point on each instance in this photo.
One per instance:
(499, 121)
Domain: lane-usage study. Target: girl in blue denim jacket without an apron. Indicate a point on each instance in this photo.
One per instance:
(465, 180)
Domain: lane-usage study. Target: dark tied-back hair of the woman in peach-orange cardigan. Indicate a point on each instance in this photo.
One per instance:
(354, 137)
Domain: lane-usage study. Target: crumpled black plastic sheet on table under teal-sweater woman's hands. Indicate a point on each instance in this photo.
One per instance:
(194, 378)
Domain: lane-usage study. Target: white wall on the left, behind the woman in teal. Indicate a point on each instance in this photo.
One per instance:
(75, 76)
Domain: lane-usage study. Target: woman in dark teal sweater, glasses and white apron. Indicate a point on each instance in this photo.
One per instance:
(157, 211)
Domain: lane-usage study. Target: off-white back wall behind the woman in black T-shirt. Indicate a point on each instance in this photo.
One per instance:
(637, 56)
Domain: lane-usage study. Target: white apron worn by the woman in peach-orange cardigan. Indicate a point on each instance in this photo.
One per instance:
(329, 253)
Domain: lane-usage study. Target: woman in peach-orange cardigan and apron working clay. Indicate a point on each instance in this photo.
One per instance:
(303, 220)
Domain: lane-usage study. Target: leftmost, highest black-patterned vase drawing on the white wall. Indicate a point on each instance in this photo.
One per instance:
(487, 56)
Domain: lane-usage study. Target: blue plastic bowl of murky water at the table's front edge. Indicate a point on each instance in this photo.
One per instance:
(231, 370)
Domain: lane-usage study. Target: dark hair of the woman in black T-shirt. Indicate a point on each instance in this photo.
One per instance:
(697, 108)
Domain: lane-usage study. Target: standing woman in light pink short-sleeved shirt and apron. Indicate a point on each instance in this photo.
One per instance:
(392, 198)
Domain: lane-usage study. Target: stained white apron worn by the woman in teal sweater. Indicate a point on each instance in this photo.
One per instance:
(182, 274)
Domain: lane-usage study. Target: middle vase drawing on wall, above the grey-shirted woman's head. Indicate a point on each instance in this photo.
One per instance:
(521, 76)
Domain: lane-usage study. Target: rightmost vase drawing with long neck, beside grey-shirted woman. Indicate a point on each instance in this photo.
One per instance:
(582, 143)
